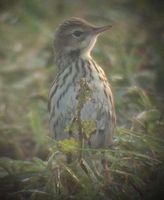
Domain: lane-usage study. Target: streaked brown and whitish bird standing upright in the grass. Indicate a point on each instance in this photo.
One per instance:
(73, 42)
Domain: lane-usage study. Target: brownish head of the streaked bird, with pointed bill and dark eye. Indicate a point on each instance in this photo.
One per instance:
(77, 35)
